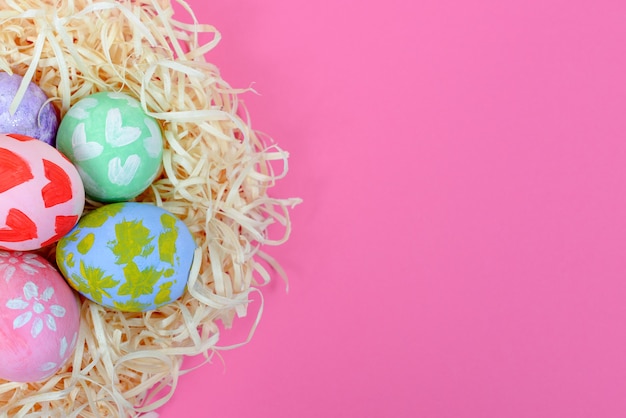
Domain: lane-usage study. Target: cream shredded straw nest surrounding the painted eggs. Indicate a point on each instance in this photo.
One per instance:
(217, 171)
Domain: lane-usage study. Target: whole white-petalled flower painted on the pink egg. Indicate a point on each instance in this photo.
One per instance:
(37, 309)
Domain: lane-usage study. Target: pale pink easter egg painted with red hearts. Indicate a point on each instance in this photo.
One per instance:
(41, 194)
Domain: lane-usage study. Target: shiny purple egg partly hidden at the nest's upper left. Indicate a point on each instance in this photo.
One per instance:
(33, 117)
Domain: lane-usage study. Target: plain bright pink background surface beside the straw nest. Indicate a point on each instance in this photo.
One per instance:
(461, 248)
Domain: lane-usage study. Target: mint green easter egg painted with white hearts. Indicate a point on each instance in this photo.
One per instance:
(115, 145)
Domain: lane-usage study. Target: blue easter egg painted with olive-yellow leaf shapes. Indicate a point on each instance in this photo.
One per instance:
(128, 256)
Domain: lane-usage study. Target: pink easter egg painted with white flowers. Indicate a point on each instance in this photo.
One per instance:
(39, 318)
